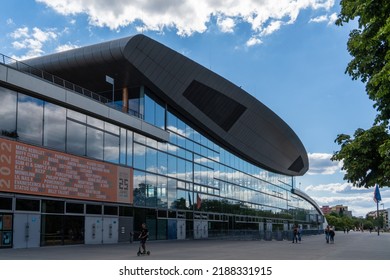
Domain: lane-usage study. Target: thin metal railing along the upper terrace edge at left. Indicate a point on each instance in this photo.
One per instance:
(55, 80)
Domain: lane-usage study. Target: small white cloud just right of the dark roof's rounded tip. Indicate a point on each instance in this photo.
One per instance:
(320, 163)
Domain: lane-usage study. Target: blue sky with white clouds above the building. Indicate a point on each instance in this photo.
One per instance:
(288, 54)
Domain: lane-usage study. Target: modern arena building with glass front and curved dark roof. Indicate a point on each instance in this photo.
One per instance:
(96, 140)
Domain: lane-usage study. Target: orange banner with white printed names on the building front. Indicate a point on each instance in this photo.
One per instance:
(37, 171)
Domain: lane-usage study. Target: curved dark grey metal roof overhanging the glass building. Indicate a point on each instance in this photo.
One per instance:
(224, 111)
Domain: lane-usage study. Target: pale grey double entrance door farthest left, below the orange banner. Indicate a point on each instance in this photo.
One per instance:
(27, 229)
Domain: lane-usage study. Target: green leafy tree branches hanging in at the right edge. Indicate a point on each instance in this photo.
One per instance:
(366, 157)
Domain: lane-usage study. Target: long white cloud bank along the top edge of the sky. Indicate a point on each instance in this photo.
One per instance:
(187, 16)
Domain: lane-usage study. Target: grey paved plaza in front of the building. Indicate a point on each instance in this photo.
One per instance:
(352, 246)
